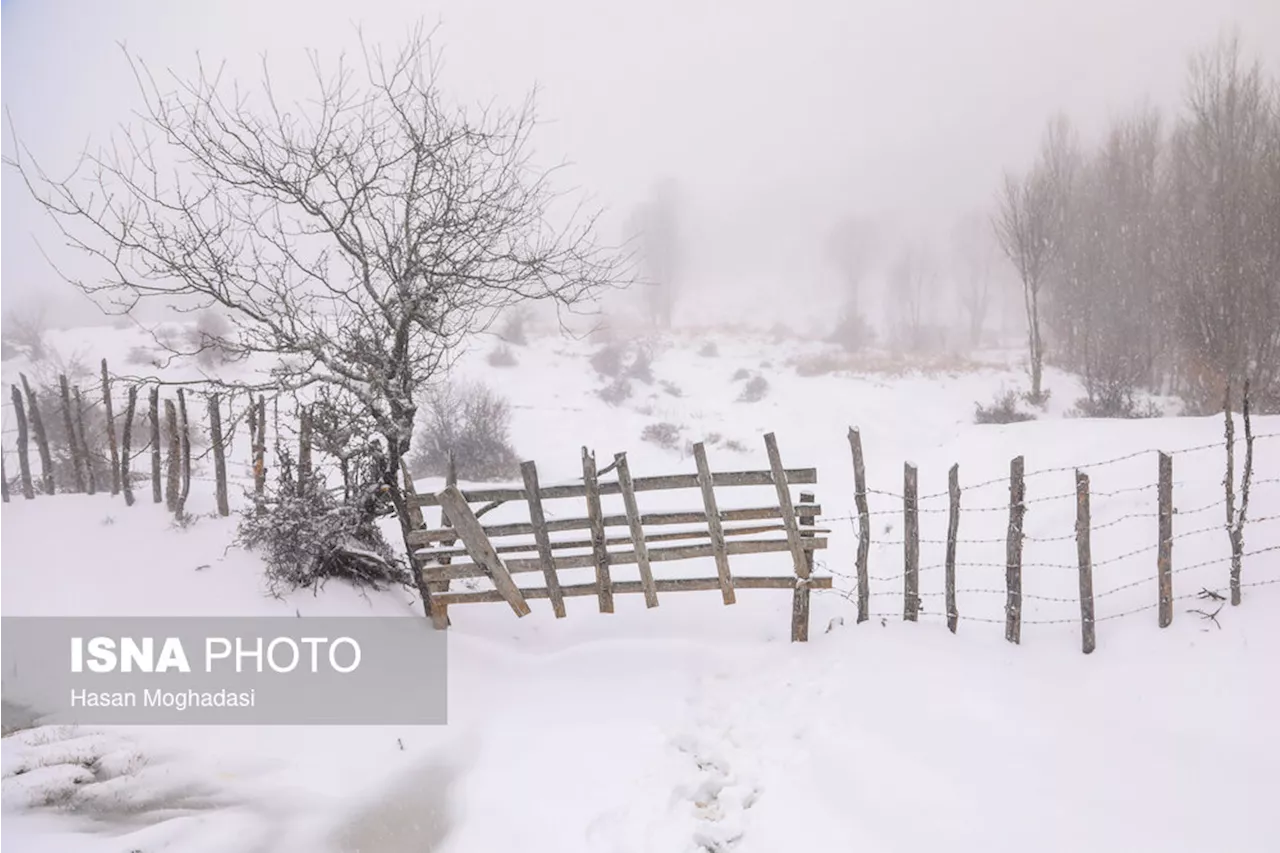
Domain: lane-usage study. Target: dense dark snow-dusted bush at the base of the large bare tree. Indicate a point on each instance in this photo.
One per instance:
(307, 536)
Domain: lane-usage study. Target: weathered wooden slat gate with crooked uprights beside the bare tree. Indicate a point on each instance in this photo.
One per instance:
(463, 551)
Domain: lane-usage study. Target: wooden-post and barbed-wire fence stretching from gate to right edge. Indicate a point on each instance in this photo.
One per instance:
(1140, 567)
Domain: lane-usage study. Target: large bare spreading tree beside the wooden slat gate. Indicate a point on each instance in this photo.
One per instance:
(356, 238)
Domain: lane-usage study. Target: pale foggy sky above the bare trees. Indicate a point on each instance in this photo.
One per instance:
(775, 118)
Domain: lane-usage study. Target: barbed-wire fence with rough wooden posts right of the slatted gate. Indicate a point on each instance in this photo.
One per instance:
(1235, 505)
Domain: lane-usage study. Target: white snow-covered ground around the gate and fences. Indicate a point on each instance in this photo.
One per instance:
(697, 727)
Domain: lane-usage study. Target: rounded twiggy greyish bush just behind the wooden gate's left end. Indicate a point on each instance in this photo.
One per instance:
(472, 422)
